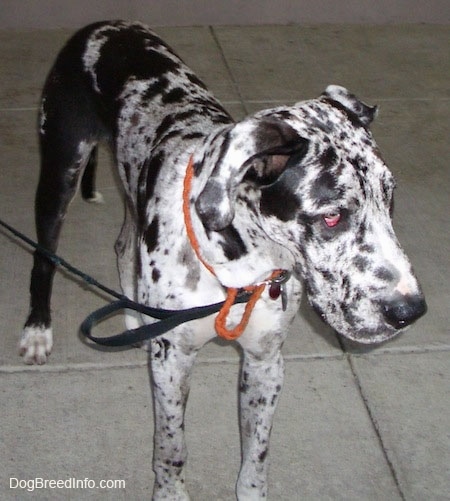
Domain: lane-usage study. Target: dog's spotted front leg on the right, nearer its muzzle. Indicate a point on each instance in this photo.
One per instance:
(260, 385)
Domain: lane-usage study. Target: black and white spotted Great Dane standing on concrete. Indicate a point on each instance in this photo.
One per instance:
(302, 189)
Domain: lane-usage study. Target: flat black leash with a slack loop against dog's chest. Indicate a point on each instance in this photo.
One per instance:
(167, 319)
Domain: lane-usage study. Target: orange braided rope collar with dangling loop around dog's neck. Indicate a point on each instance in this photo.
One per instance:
(256, 290)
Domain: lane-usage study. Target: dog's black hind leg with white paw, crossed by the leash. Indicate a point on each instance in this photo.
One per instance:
(68, 133)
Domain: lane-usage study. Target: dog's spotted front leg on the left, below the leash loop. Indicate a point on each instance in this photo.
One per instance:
(171, 370)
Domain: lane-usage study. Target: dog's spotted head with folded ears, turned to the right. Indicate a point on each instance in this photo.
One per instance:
(326, 195)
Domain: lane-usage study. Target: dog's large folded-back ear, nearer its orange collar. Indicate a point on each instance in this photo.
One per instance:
(261, 146)
